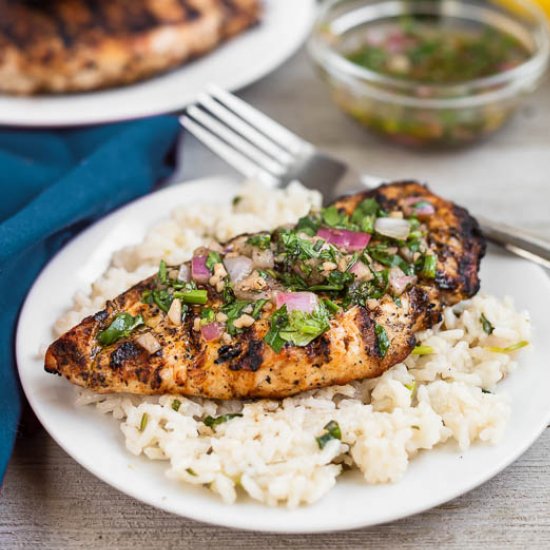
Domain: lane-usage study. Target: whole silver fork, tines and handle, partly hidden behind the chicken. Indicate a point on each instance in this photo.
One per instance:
(258, 147)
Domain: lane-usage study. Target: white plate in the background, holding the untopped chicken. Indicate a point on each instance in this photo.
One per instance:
(237, 63)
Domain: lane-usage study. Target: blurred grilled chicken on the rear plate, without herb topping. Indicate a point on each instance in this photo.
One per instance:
(62, 46)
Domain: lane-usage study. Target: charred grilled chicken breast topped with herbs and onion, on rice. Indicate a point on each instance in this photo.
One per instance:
(367, 332)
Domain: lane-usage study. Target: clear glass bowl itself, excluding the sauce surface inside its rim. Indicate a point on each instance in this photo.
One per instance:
(415, 113)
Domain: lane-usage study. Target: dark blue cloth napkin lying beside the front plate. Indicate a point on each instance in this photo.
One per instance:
(52, 184)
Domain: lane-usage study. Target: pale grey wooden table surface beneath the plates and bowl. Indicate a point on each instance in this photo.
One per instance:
(49, 501)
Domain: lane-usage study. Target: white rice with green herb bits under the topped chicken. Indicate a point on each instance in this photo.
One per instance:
(271, 452)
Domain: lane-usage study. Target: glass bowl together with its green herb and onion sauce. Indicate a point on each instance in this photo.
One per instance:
(430, 72)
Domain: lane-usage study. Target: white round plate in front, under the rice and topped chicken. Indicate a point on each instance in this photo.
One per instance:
(96, 442)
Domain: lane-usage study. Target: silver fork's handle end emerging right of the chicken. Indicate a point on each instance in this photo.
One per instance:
(517, 241)
